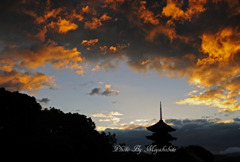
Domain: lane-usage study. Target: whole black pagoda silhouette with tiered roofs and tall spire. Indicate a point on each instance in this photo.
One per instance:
(161, 136)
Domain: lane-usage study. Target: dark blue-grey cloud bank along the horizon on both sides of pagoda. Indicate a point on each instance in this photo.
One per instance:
(216, 137)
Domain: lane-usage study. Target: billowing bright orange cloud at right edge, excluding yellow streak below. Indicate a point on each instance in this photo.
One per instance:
(220, 64)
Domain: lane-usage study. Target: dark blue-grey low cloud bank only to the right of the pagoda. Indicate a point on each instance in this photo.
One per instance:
(215, 137)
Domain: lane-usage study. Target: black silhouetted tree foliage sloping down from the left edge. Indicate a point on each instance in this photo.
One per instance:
(31, 134)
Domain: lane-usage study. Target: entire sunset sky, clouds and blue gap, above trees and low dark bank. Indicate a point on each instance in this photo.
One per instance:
(115, 60)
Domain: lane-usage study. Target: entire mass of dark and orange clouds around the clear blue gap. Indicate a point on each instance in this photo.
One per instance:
(194, 40)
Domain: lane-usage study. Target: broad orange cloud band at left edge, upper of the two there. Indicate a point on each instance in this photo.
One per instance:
(50, 53)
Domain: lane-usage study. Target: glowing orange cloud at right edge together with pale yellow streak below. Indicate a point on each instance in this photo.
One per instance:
(219, 69)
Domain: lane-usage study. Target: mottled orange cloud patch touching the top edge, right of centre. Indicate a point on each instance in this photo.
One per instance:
(160, 25)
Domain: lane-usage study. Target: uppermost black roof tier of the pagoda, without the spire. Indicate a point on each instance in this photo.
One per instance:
(160, 126)
